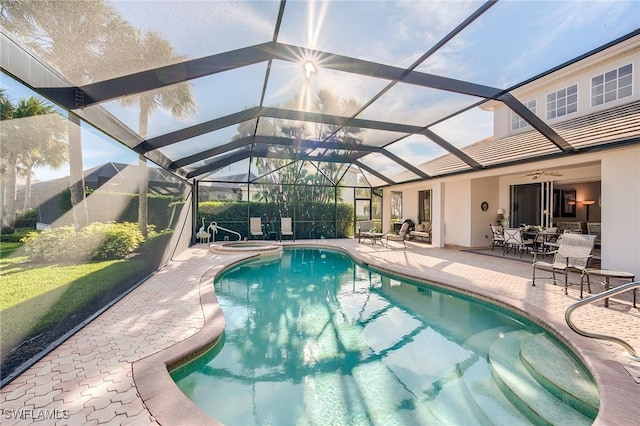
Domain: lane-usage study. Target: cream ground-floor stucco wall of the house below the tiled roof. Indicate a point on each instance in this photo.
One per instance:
(459, 220)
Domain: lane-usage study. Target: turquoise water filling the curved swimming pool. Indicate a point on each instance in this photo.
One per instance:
(314, 338)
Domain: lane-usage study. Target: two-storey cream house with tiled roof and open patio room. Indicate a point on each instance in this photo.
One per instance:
(594, 105)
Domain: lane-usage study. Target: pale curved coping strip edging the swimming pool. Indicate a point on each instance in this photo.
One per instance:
(169, 405)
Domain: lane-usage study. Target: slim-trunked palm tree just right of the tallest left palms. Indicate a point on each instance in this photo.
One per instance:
(149, 51)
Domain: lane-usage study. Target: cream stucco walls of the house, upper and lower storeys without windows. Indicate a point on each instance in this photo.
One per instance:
(610, 176)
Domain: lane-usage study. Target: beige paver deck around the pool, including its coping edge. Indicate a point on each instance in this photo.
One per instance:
(113, 371)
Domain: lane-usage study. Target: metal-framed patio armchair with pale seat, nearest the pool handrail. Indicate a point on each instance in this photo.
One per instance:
(573, 254)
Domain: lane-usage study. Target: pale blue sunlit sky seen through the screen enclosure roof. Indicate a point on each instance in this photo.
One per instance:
(540, 35)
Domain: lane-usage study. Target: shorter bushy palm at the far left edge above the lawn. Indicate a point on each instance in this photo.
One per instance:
(26, 126)
